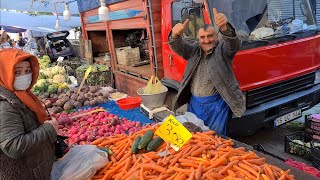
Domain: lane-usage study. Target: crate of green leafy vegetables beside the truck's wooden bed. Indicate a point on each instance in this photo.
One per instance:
(99, 75)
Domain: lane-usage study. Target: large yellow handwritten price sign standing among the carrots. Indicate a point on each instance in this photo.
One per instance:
(174, 132)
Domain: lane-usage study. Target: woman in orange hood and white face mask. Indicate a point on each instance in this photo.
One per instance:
(26, 135)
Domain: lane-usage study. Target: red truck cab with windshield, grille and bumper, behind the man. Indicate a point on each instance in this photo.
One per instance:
(278, 65)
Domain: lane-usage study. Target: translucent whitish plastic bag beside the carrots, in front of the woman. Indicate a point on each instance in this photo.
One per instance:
(80, 163)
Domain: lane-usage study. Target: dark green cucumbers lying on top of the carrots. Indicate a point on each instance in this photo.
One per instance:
(146, 142)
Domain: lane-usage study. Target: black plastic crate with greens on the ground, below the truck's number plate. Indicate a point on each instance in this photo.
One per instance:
(293, 147)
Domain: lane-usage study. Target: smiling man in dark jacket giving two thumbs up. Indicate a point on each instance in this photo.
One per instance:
(209, 84)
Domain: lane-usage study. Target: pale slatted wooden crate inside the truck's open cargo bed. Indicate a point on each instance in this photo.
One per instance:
(128, 56)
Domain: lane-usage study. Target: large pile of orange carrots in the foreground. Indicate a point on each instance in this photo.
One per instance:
(204, 156)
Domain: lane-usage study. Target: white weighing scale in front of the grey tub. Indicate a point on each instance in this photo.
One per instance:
(156, 114)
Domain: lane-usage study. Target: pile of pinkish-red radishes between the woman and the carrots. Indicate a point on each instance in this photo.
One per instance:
(86, 128)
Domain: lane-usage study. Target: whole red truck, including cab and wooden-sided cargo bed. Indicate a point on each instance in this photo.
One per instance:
(278, 68)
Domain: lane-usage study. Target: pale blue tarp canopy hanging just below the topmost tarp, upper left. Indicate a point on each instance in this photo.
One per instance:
(43, 23)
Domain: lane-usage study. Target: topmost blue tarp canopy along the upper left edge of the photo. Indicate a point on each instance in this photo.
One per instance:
(39, 5)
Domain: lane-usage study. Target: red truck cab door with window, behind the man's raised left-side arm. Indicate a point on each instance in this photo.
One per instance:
(173, 13)
